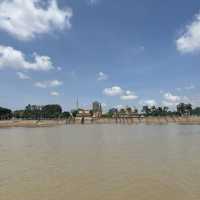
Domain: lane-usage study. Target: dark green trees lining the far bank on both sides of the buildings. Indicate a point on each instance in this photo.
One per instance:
(54, 111)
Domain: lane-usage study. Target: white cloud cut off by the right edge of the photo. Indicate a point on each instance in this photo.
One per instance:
(189, 41)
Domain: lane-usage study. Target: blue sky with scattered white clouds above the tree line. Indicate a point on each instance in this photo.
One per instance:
(124, 52)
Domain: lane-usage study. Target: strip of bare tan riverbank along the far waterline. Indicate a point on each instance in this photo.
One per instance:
(189, 120)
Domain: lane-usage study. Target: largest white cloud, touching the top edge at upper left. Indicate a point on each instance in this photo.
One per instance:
(25, 19)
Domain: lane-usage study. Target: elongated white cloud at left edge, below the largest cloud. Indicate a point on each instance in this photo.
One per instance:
(15, 59)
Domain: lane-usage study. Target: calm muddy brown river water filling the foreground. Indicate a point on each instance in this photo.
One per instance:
(100, 162)
